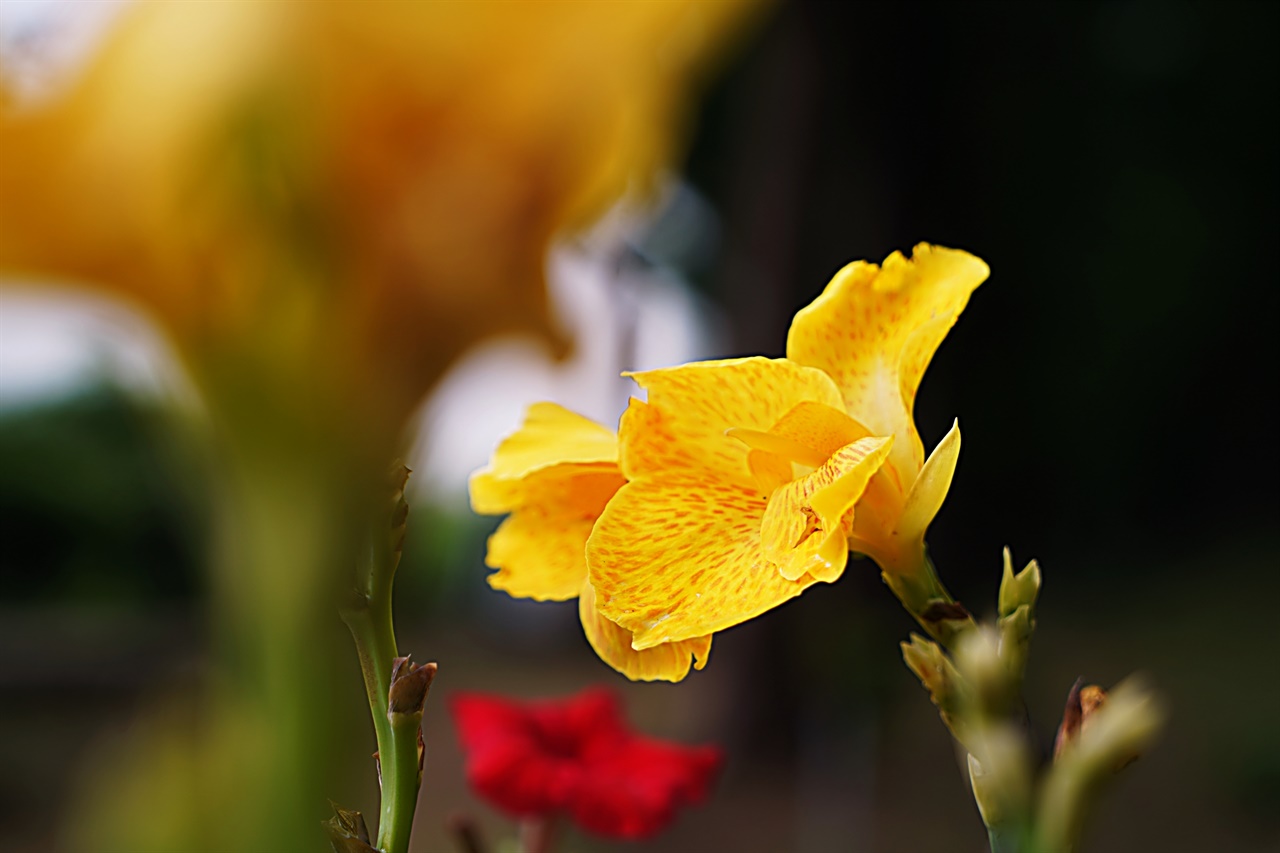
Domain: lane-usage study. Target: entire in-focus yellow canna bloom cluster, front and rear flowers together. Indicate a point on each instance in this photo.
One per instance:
(739, 483)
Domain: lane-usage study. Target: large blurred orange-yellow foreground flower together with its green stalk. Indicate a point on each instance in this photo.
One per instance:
(324, 204)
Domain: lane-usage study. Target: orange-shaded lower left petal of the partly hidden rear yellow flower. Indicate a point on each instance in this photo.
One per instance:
(540, 551)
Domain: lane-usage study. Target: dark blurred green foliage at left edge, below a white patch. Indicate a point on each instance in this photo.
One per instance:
(102, 501)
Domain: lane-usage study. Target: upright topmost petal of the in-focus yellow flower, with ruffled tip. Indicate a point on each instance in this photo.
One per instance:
(875, 331)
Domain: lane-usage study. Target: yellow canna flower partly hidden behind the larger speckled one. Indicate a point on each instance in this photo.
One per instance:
(555, 476)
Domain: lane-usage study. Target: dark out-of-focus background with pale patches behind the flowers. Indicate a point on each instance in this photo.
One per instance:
(1117, 382)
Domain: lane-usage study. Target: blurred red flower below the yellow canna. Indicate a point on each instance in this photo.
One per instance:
(578, 756)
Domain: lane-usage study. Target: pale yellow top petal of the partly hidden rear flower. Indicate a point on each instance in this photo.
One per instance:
(551, 436)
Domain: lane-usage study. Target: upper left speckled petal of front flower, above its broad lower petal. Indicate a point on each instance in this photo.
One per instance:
(692, 407)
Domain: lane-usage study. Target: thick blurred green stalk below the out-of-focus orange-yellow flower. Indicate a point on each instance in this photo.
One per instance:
(280, 535)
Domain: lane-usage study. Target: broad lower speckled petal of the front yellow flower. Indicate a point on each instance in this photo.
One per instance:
(679, 556)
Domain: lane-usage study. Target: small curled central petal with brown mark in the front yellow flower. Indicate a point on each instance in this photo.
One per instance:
(802, 530)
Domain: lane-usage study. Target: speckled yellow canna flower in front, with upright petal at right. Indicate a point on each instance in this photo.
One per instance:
(751, 480)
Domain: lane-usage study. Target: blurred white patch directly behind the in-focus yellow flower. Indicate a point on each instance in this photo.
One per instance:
(621, 313)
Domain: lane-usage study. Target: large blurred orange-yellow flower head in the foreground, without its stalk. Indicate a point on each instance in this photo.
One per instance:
(344, 195)
